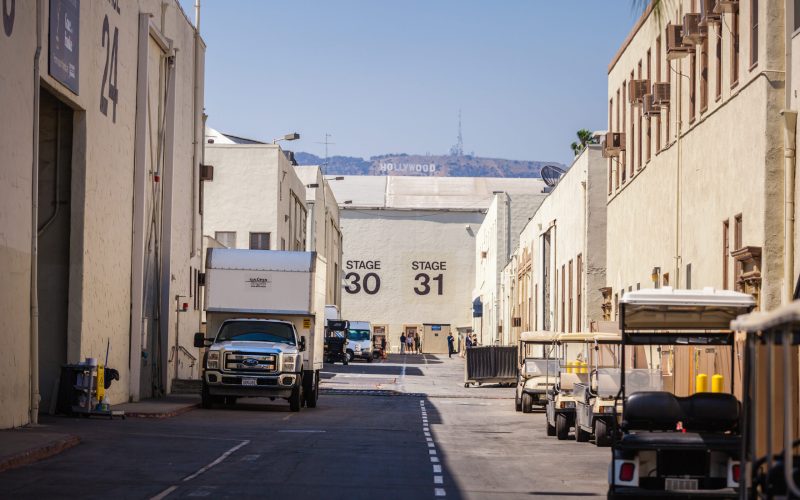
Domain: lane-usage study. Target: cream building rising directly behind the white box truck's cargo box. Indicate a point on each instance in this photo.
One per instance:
(255, 190)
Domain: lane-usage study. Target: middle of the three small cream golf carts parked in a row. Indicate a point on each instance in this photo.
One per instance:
(572, 369)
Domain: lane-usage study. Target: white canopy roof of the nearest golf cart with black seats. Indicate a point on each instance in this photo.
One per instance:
(669, 309)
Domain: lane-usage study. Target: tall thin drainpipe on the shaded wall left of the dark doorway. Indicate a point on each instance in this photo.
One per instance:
(34, 333)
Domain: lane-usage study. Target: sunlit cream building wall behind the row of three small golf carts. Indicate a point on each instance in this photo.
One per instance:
(556, 286)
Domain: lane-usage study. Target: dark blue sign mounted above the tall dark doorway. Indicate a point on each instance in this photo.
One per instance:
(65, 42)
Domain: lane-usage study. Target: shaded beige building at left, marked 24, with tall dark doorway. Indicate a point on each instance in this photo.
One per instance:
(93, 234)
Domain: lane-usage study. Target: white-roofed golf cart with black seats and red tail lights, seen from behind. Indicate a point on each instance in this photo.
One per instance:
(666, 445)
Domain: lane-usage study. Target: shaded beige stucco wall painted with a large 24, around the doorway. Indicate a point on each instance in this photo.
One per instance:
(102, 193)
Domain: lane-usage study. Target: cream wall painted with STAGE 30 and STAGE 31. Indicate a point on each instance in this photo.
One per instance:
(396, 238)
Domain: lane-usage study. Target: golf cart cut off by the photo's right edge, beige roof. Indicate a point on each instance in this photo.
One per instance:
(771, 345)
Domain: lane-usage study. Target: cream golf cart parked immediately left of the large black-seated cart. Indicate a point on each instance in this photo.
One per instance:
(596, 406)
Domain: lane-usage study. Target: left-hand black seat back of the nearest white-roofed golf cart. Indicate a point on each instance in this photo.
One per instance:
(652, 411)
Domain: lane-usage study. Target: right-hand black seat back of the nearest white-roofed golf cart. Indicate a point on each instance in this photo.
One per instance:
(710, 412)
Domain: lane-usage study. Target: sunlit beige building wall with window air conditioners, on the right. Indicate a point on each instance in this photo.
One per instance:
(713, 155)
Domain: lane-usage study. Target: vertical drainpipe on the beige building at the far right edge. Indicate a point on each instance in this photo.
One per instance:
(789, 166)
